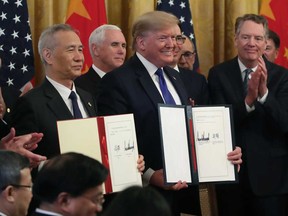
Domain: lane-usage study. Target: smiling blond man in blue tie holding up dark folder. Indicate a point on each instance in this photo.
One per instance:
(134, 88)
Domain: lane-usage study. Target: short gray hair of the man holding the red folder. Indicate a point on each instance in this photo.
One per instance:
(47, 39)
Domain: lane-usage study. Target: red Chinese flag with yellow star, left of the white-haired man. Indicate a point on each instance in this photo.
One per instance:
(85, 16)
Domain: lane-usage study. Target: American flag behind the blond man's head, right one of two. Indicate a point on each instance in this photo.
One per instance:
(181, 9)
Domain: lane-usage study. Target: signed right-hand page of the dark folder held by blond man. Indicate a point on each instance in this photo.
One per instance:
(213, 141)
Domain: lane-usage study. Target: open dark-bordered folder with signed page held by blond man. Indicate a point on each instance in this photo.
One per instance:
(195, 144)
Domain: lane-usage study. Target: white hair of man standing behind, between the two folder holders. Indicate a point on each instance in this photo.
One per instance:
(98, 35)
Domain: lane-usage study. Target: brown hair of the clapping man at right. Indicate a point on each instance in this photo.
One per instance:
(251, 17)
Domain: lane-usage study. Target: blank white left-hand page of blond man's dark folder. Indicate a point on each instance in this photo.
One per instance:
(175, 144)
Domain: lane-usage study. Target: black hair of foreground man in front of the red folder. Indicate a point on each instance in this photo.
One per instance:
(71, 172)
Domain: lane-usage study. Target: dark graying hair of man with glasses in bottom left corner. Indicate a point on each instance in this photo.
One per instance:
(11, 164)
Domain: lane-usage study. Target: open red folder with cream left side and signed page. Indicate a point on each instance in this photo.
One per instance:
(109, 139)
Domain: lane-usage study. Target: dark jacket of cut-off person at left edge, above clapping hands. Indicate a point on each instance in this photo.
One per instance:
(10, 96)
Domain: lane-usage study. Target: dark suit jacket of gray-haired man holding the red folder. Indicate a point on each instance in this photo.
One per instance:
(40, 109)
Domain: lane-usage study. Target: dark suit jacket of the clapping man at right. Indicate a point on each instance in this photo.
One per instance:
(262, 134)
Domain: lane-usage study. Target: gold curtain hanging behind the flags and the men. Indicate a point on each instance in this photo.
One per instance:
(213, 23)
